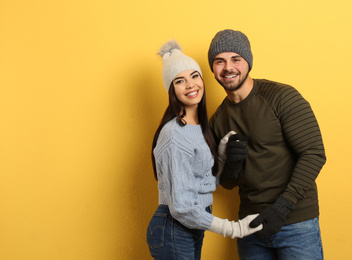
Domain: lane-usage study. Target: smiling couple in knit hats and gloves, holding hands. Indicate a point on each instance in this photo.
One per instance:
(264, 138)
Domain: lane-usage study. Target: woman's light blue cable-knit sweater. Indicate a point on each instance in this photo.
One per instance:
(184, 169)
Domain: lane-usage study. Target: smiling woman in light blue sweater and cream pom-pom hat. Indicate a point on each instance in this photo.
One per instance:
(183, 155)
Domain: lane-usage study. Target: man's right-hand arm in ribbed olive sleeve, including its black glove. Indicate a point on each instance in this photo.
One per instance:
(301, 130)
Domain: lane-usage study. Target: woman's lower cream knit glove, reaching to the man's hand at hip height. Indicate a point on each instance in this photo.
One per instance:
(234, 229)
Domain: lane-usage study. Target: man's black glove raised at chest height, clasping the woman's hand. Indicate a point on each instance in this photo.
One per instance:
(236, 153)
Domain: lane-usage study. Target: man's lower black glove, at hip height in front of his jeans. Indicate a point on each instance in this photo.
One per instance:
(273, 217)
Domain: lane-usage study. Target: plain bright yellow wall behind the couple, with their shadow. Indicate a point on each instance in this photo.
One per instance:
(81, 96)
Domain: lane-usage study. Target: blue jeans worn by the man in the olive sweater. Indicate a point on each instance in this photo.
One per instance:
(294, 242)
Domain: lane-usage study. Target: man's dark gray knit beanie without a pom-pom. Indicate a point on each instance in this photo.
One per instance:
(230, 41)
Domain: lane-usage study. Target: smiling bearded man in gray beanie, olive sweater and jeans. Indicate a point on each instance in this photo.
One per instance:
(285, 154)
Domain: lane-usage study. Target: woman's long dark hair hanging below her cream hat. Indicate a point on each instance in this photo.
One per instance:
(174, 110)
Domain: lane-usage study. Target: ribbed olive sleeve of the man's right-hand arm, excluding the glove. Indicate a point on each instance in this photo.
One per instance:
(303, 135)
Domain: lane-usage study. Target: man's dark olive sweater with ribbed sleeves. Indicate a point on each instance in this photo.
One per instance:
(285, 149)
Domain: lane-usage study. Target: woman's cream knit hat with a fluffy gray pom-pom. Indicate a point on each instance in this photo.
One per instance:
(175, 62)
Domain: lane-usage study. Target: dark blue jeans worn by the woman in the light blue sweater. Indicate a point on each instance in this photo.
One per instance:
(169, 239)
